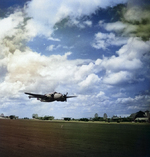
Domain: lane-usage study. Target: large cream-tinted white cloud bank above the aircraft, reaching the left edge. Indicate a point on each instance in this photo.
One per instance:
(29, 71)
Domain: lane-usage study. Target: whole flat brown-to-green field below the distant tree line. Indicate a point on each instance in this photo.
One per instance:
(31, 138)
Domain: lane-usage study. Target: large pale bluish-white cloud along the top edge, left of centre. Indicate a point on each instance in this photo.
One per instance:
(45, 14)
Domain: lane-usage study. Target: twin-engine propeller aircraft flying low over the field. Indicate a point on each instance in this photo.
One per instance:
(50, 97)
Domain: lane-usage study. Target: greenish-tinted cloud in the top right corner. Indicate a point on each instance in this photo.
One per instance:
(135, 20)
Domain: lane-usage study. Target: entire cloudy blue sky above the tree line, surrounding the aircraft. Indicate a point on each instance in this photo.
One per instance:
(96, 50)
